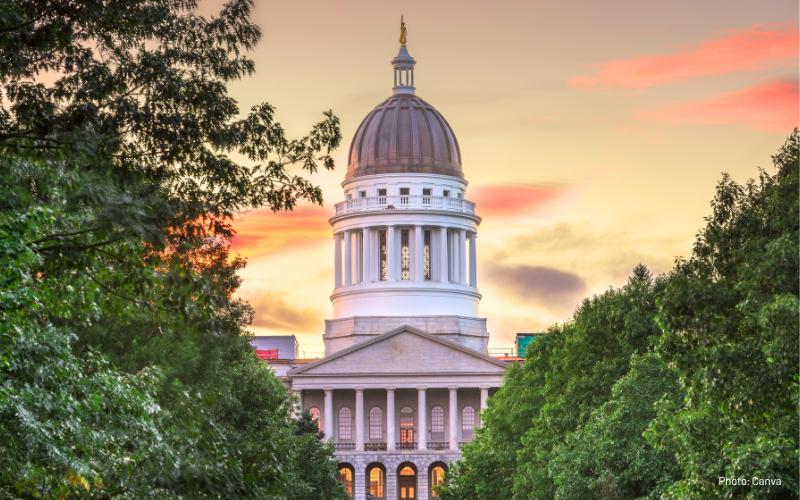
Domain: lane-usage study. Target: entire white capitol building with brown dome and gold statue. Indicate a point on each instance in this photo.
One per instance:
(406, 370)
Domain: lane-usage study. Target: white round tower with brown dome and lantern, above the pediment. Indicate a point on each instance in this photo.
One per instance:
(405, 234)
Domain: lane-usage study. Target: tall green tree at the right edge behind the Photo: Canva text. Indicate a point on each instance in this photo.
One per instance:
(730, 316)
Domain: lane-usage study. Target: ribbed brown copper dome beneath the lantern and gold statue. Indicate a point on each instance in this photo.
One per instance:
(404, 134)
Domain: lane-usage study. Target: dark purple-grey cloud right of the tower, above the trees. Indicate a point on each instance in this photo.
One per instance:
(540, 284)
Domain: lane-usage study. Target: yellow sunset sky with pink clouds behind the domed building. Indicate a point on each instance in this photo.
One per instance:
(592, 135)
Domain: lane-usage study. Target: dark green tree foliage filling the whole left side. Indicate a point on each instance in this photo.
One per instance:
(126, 368)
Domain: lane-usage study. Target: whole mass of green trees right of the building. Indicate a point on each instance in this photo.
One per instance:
(660, 388)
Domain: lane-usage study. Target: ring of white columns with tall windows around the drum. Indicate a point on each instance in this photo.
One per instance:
(405, 253)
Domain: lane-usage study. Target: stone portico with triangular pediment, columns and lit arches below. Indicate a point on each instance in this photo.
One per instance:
(377, 408)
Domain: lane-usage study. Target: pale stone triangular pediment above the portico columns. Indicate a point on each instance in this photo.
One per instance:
(405, 350)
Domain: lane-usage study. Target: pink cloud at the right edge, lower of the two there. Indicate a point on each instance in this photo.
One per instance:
(771, 106)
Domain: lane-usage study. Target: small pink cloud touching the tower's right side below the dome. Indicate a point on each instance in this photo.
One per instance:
(512, 199)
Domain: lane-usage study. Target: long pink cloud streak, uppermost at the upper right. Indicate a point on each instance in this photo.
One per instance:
(750, 49)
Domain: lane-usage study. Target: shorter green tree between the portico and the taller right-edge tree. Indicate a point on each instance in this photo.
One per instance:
(565, 377)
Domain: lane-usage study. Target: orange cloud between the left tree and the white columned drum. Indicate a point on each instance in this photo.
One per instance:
(262, 231)
